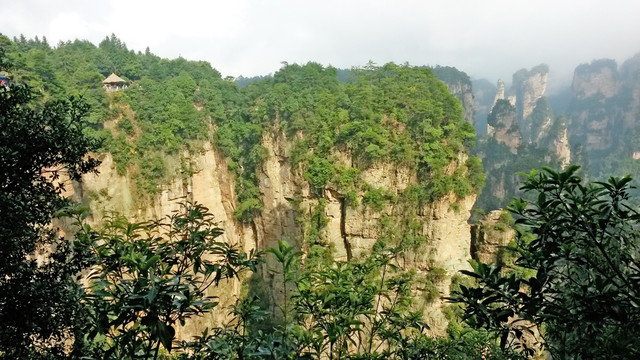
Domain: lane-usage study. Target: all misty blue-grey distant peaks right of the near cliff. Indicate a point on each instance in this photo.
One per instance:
(592, 122)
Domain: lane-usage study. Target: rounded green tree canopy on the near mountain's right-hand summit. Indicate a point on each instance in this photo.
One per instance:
(397, 114)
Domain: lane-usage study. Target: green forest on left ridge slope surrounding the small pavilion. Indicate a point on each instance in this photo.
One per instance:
(169, 106)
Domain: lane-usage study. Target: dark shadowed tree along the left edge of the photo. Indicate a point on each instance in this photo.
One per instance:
(39, 143)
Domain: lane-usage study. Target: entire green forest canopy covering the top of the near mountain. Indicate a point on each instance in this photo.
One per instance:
(391, 113)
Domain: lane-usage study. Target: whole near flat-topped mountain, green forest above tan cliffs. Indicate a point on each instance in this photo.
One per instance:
(347, 169)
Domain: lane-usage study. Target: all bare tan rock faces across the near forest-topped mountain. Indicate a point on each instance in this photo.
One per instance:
(351, 231)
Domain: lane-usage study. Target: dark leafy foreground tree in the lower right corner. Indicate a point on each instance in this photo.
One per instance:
(585, 256)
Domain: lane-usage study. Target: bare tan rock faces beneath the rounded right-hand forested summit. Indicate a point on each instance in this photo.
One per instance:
(351, 231)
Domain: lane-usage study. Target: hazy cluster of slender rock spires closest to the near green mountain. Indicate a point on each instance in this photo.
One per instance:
(523, 134)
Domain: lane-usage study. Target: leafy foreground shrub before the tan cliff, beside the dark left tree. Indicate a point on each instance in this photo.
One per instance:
(148, 278)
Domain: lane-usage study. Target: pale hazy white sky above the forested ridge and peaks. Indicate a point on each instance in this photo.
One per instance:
(490, 39)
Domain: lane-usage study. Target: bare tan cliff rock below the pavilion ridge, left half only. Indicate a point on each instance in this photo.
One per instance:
(211, 185)
